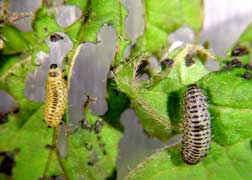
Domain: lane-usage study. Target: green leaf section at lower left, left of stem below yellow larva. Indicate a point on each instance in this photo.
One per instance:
(30, 141)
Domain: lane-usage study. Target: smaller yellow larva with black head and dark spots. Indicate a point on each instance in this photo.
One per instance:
(56, 97)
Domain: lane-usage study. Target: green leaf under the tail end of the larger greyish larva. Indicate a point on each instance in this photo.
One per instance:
(167, 164)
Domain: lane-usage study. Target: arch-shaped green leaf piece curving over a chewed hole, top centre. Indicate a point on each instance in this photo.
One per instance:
(109, 12)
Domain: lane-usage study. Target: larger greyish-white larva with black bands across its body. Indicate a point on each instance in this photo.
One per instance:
(197, 126)
